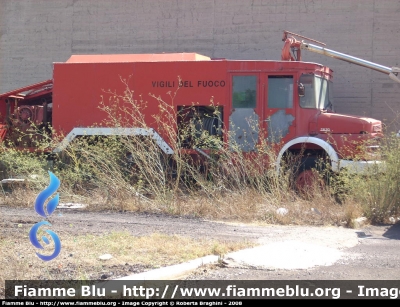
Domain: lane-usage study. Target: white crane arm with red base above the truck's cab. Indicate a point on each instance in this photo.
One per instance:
(291, 51)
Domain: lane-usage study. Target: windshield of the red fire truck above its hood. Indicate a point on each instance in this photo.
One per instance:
(318, 93)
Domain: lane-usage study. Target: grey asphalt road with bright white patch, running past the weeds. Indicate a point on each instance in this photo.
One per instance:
(286, 252)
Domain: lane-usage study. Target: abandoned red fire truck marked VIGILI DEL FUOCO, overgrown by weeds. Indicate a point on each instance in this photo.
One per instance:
(290, 101)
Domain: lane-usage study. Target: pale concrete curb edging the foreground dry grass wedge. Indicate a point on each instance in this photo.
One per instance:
(176, 271)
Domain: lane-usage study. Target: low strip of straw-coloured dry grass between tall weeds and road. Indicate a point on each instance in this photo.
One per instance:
(248, 205)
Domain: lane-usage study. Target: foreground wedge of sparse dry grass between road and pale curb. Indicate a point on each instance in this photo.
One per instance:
(80, 257)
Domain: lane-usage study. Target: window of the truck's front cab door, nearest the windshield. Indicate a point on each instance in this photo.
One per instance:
(280, 92)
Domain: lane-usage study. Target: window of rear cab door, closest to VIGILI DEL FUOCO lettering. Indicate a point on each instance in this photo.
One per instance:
(244, 91)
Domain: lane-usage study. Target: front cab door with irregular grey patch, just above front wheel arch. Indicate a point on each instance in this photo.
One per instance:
(279, 109)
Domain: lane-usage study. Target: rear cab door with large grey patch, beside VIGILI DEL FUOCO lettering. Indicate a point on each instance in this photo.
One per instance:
(245, 113)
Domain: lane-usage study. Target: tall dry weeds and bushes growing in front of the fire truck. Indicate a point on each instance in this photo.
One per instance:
(221, 182)
